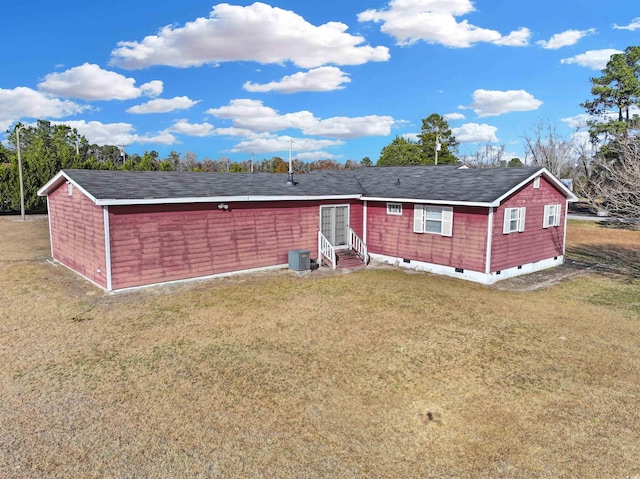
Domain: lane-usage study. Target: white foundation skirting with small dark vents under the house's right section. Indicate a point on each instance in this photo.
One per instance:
(475, 276)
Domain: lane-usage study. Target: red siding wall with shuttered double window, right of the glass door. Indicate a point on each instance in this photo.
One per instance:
(393, 235)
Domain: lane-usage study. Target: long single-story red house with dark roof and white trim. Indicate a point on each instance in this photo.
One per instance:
(123, 230)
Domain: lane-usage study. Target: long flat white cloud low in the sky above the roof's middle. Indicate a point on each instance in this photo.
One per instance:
(253, 115)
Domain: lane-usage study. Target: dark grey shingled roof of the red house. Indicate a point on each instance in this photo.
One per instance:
(428, 183)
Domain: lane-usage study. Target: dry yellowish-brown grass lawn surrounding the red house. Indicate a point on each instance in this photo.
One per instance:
(376, 374)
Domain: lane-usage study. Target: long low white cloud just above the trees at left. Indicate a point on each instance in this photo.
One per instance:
(116, 133)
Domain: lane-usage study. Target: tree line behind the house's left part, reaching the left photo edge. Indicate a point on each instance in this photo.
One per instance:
(45, 149)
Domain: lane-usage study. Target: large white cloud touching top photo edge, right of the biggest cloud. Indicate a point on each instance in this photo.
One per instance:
(434, 21)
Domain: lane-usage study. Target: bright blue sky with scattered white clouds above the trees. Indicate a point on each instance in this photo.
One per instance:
(341, 78)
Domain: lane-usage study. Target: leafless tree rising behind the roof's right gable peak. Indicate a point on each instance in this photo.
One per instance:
(545, 147)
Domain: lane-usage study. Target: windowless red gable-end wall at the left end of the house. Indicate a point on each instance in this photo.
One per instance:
(77, 230)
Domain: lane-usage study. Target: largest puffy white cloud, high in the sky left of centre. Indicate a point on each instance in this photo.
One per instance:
(258, 32)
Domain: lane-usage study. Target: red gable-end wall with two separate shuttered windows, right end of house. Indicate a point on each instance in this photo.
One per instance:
(535, 243)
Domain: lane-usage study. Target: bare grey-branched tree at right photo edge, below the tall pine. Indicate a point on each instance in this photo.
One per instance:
(615, 184)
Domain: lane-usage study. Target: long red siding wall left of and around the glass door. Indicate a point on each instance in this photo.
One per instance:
(152, 244)
